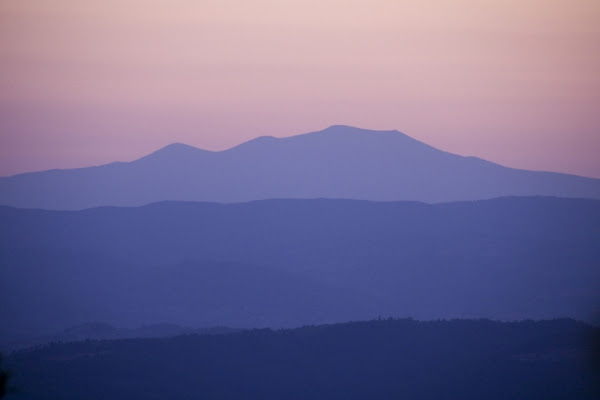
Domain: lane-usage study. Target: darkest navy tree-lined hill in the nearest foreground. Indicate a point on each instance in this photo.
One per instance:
(382, 359)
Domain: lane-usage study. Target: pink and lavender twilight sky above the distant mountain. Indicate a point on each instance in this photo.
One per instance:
(83, 83)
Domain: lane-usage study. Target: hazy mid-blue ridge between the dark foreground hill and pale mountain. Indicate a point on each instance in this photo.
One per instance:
(286, 263)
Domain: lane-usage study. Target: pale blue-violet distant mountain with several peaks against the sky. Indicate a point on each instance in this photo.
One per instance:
(337, 162)
